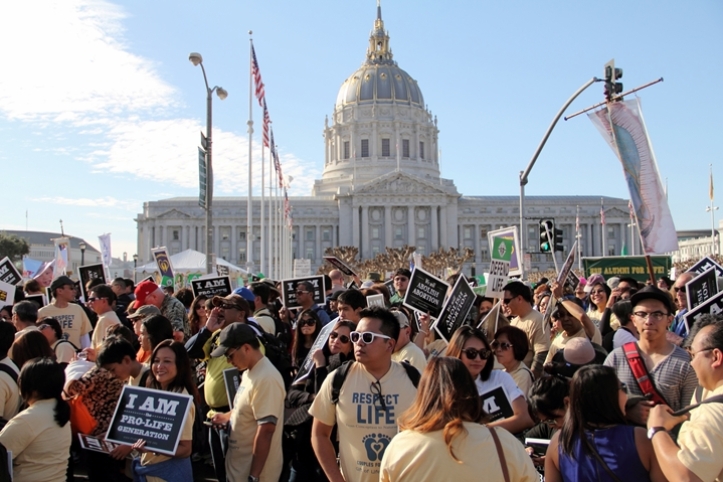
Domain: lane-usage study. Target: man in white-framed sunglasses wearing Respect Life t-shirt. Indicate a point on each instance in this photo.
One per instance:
(374, 393)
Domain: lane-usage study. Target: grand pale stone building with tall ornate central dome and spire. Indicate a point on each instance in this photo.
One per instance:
(381, 187)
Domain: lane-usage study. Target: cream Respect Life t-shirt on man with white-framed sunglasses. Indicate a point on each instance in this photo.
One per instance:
(365, 428)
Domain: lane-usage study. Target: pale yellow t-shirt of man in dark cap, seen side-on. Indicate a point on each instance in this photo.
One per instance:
(261, 394)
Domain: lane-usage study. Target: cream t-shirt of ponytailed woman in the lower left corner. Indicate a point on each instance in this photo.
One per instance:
(40, 447)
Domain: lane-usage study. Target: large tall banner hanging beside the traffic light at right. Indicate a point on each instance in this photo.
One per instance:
(623, 128)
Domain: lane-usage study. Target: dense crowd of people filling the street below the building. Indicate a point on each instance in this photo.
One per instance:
(615, 384)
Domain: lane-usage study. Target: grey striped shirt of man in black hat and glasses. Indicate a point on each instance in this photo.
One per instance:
(673, 377)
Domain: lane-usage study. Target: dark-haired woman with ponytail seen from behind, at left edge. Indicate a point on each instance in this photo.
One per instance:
(39, 437)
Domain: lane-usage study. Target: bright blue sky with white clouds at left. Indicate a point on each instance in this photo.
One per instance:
(100, 109)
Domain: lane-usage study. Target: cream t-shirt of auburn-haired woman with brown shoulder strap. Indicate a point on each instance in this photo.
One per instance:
(413, 456)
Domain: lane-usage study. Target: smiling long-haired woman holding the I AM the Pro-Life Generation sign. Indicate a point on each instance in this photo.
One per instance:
(170, 371)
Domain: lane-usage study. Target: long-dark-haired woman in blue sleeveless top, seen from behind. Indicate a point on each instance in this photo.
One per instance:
(595, 442)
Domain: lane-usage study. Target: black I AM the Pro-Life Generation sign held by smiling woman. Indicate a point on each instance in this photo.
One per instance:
(156, 416)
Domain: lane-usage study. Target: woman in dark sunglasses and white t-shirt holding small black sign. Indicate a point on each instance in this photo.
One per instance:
(470, 345)
